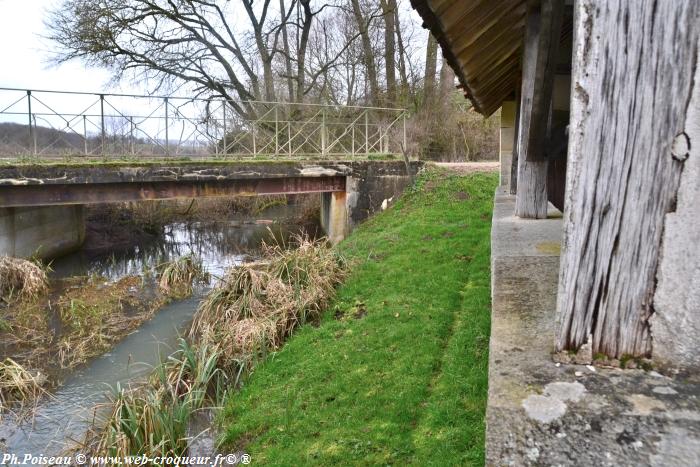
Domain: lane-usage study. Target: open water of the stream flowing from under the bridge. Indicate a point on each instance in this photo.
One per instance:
(63, 417)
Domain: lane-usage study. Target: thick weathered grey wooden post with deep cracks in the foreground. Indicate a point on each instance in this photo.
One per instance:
(632, 81)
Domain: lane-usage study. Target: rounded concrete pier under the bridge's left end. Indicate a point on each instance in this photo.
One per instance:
(46, 231)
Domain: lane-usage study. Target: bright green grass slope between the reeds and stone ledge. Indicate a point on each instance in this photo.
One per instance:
(396, 372)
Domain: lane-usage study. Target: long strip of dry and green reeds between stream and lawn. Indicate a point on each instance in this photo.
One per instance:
(249, 313)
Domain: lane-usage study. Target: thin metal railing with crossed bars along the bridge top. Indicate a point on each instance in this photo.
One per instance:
(45, 123)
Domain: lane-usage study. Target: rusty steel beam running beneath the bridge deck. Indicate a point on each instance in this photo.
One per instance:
(47, 195)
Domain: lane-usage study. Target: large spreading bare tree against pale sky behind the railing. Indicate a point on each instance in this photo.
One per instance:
(168, 42)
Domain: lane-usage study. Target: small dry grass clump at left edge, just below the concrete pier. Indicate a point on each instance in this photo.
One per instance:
(21, 280)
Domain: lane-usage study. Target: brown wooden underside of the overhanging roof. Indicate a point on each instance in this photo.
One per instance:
(482, 42)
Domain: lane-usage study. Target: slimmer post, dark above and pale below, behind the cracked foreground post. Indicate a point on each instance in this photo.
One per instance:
(542, 32)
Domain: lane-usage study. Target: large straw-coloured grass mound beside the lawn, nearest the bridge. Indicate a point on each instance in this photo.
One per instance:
(257, 305)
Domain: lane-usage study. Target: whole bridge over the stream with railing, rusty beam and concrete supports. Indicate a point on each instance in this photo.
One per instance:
(62, 150)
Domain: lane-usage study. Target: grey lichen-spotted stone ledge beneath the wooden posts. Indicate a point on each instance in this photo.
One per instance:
(542, 413)
